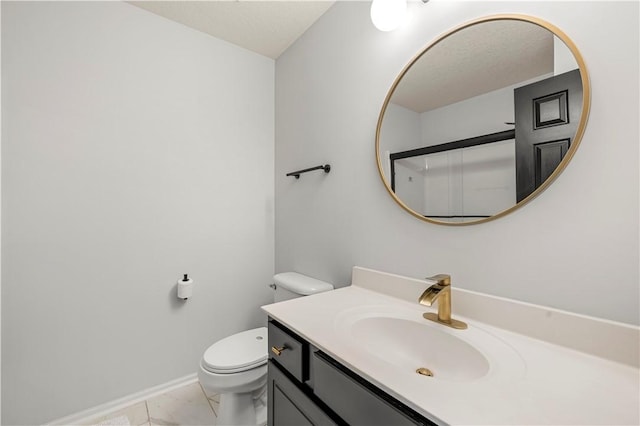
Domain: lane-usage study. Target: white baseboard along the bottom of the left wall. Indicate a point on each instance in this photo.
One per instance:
(120, 403)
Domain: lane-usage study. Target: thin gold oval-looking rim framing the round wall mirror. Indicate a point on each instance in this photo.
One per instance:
(586, 102)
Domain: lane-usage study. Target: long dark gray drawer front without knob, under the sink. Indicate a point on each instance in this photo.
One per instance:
(357, 401)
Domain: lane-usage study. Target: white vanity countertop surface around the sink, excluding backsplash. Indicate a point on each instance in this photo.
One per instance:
(543, 383)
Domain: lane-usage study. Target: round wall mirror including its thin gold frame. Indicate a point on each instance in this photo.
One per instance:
(482, 120)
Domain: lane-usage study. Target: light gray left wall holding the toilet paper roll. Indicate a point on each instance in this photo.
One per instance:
(134, 150)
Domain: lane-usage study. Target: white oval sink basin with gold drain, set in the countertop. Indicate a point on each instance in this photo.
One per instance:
(404, 342)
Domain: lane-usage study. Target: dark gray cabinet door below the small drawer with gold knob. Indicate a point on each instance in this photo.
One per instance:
(288, 404)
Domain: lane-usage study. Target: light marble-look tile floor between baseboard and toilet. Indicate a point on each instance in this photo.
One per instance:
(188, 405)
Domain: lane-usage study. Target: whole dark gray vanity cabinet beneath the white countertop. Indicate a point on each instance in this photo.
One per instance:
(308, 387)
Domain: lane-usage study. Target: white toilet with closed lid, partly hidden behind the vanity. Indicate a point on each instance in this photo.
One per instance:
(236, 366)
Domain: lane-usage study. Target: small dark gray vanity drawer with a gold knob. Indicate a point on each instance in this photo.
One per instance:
(288, 350)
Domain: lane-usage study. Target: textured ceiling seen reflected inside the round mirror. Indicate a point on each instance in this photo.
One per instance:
(474, 61)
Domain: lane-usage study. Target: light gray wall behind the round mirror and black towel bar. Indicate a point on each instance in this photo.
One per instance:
(575, 247)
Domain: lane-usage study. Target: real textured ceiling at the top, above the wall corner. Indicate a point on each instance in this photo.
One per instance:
(262, 26)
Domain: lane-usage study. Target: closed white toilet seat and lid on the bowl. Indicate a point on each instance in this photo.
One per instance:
(239, 352)
